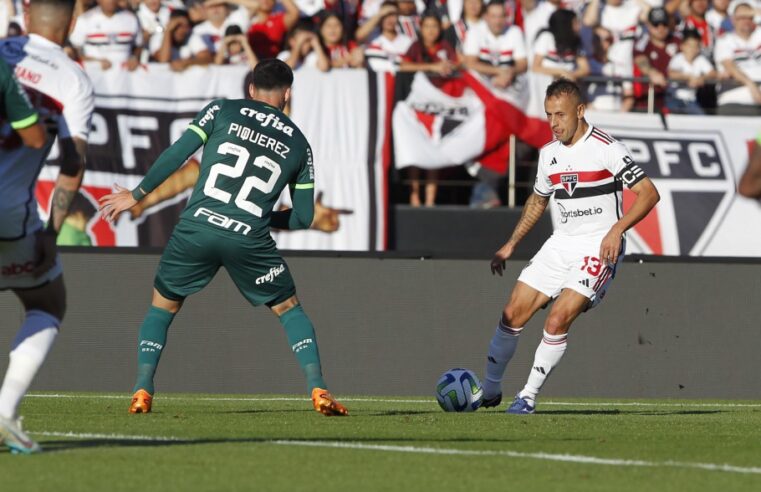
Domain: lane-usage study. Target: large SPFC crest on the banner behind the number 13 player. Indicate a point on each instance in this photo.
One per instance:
(695, 179)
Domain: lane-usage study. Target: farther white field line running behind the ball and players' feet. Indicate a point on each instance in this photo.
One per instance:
(430, 401)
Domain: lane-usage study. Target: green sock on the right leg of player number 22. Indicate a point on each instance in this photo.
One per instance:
(301, 337)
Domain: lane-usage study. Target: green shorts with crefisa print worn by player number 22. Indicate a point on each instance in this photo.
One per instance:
(194, 254)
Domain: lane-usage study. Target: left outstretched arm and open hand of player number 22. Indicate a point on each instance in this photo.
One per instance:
(112, 205)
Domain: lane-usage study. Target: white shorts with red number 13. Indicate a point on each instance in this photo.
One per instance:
(566, 262)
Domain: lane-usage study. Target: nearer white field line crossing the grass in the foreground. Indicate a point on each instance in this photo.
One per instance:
(567, 458)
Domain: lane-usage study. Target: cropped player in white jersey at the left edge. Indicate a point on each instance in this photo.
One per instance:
(62, 93)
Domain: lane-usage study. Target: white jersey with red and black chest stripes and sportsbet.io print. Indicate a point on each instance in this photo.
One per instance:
(586, 181)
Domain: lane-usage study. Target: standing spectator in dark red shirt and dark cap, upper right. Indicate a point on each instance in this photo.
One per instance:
(652, 54)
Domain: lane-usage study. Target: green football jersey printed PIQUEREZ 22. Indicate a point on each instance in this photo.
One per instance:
(251, 152)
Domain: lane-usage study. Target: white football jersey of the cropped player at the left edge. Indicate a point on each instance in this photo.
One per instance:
(60, 90)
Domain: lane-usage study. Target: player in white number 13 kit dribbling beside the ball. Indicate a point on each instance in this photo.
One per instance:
(584, 169)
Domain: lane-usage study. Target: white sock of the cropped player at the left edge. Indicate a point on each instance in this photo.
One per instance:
(24, 362)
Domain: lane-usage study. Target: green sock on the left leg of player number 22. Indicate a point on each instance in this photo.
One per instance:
(151, 342)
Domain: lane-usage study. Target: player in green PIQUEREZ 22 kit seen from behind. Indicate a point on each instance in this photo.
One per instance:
(252, 150)
